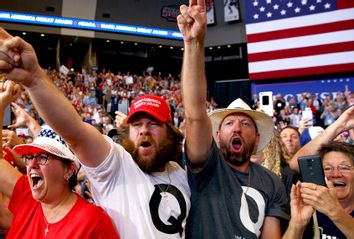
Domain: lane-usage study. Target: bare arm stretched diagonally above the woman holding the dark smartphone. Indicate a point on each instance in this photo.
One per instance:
(344, 122)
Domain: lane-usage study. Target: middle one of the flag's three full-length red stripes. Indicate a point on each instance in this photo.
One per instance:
(304, 51)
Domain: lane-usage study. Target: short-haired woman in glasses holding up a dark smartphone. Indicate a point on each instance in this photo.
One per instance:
(334, 204)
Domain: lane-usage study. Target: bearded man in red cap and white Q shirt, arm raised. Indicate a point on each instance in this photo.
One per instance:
(145, 193)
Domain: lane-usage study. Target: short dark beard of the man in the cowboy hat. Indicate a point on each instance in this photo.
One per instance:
(236, 159)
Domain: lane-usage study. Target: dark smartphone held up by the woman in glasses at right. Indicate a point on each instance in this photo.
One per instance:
(311, 169)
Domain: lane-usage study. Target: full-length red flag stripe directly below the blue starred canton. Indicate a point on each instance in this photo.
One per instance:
(301, 31)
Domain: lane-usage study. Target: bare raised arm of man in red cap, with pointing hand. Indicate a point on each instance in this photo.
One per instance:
(85, 141)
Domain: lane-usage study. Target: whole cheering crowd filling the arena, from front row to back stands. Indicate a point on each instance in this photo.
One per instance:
(126, 156)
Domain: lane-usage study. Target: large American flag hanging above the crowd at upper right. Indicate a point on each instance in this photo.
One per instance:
(288, 38)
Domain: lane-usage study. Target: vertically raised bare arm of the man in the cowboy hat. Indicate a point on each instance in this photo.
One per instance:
(192, 24)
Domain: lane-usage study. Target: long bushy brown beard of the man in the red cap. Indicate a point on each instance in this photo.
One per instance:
(165, 151)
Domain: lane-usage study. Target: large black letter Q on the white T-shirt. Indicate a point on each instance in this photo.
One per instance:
(176, 223)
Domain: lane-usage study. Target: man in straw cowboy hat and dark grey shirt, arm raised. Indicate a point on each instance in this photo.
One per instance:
(231, 197)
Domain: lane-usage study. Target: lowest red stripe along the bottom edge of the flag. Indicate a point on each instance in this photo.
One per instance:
(302, 71)
